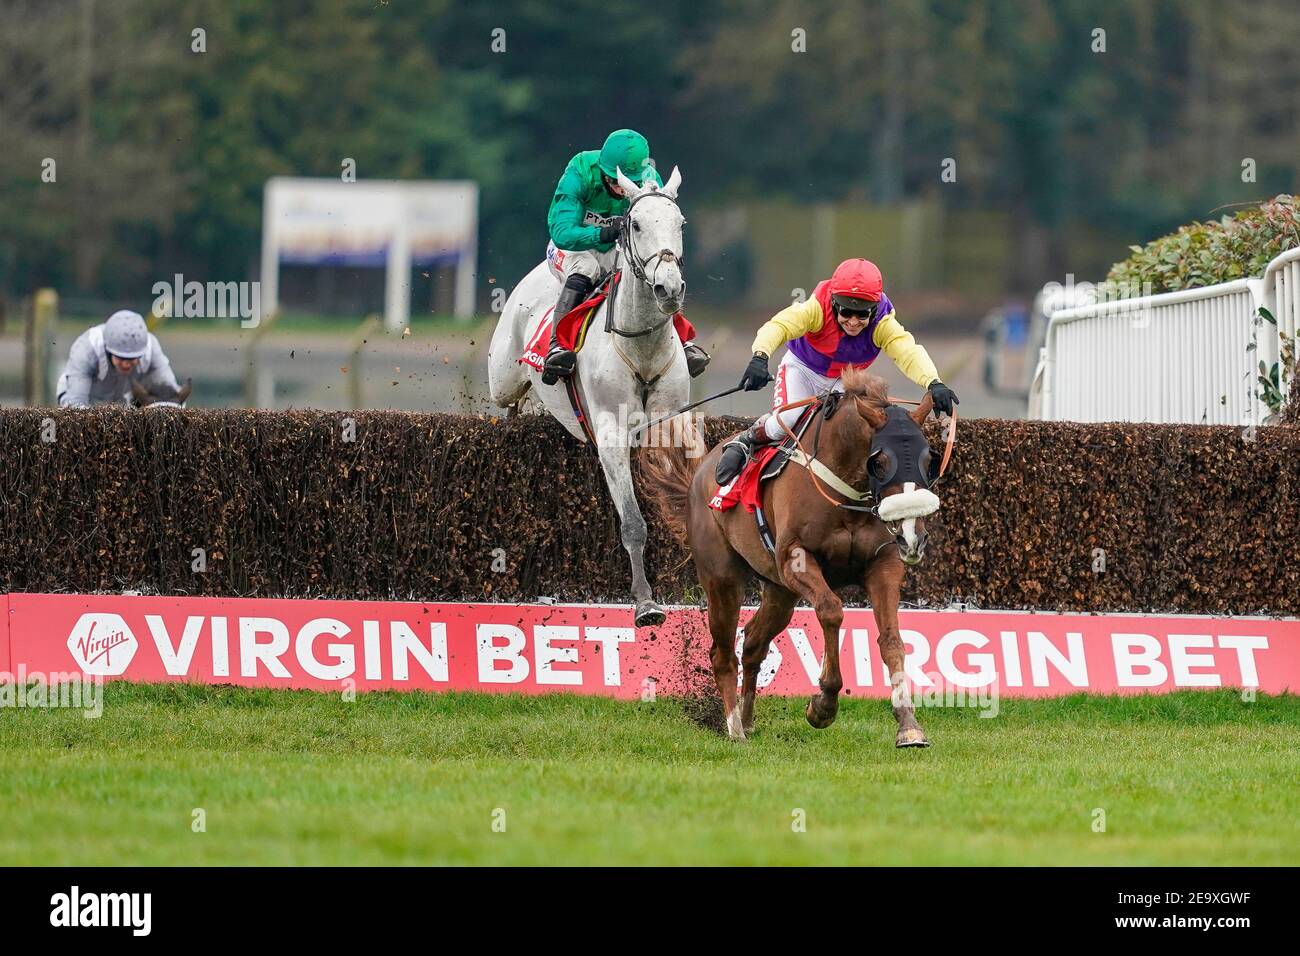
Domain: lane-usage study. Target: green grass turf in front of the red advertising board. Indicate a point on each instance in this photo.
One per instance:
(395, 778)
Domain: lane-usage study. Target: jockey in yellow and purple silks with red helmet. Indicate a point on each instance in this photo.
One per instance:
(847, 322)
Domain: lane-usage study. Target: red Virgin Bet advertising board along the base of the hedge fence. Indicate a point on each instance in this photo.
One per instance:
(596, 650)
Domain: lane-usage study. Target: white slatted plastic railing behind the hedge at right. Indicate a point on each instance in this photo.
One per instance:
(1182, 357)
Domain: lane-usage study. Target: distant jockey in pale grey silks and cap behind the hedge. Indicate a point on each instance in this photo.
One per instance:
(107, 358)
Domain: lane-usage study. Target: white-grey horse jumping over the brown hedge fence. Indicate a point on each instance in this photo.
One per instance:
(627, 377)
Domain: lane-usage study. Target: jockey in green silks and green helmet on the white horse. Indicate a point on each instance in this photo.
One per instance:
(586, 223)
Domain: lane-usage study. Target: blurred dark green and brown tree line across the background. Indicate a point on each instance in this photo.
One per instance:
(162, 153)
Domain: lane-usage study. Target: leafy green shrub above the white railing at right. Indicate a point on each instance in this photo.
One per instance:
(1204, 254)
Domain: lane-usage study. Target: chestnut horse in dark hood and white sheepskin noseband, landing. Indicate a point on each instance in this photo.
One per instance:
(852, 516)
